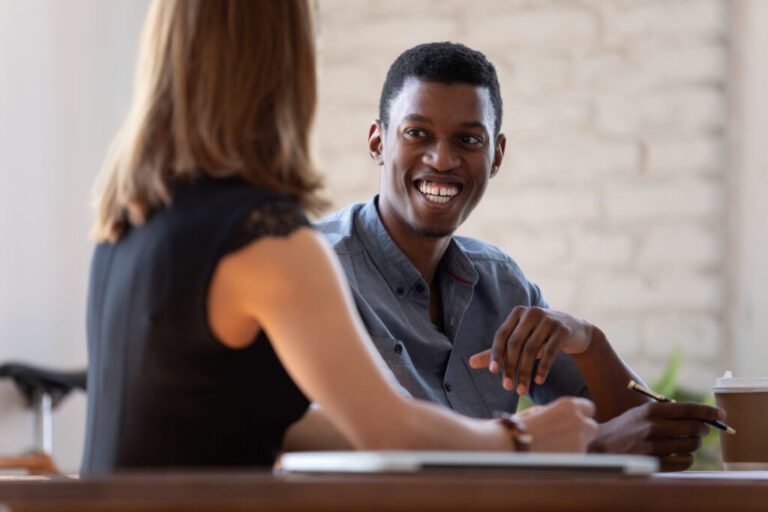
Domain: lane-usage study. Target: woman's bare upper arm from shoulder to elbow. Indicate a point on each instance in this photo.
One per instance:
(294, 287)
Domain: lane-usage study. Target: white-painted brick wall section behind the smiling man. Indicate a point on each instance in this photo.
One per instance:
(611, 195)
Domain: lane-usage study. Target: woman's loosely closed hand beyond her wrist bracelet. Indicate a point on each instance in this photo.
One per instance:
(565, 425)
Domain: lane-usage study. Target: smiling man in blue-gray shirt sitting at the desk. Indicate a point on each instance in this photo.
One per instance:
(455, 318)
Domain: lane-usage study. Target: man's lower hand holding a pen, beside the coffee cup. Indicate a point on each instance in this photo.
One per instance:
(670, 431)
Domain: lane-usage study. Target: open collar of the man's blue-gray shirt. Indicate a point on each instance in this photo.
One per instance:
(396, 268)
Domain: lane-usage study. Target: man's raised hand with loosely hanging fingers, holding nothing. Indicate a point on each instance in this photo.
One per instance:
(528, 334)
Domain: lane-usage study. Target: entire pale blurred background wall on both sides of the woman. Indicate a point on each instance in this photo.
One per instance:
(632, 190)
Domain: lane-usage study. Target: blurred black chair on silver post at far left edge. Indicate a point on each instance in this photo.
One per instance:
(43, 389)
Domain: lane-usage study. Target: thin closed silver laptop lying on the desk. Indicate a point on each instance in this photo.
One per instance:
(420, 461)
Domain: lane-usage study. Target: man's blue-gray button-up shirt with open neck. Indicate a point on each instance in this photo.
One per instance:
(480, 285)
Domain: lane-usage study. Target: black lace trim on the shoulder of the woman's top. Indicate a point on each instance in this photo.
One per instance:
(279, 217)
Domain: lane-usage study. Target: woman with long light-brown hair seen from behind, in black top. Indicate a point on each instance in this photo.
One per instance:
(216, 314)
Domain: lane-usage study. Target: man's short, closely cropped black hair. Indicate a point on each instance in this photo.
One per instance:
(445, 63)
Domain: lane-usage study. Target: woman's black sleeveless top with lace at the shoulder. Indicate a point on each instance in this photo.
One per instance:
(162, 391)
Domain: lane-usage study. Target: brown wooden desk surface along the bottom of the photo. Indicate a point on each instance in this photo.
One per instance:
(449, 491)
